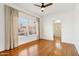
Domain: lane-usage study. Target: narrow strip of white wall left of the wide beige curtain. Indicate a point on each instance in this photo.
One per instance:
(2, 30)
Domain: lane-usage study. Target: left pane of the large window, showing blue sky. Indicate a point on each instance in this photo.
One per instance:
(22, 23)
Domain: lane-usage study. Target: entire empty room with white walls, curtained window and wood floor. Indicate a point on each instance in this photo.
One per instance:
(39, 29)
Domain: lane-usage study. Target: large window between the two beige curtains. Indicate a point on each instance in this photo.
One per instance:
(27, 25)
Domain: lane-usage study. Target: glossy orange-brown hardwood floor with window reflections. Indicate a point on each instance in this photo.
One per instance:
(42, 48)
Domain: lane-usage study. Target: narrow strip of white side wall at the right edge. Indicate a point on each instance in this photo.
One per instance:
(76, 26)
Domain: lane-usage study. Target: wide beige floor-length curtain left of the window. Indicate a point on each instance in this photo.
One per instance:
(11, 28)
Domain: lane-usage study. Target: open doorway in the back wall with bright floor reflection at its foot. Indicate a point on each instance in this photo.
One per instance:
(57, 33)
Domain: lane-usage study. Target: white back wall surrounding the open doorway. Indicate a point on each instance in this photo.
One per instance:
(66, 20)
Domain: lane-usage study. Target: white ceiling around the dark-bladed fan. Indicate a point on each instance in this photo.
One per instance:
(55, 8)
